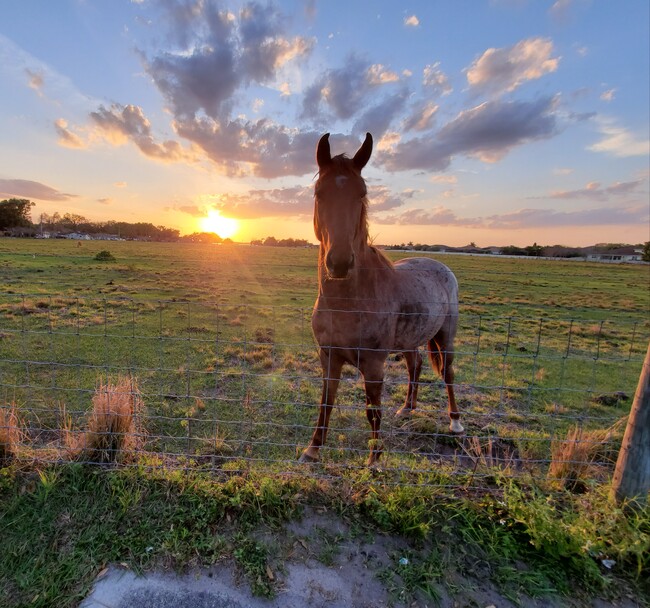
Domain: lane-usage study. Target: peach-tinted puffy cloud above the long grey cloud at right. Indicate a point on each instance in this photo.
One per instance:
(506, 69)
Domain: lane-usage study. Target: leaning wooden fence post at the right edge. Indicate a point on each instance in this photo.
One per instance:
(631, 480)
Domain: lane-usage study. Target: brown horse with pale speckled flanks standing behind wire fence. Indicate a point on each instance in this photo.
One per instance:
(368, 307)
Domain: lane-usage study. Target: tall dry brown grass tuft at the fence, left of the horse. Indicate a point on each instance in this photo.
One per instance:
(115, 431)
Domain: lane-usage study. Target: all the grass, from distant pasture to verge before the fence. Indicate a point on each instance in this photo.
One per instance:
(217, 341)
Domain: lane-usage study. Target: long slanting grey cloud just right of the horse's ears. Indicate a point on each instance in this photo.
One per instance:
(488, 132)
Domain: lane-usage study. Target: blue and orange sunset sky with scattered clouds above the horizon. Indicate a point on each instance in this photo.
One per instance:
(494, 121)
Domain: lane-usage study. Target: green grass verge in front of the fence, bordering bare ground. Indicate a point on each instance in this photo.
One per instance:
(63, 524)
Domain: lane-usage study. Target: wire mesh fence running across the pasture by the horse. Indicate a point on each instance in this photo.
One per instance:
(232, 386)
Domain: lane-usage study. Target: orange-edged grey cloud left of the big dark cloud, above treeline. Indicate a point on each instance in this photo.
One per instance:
(119, 124)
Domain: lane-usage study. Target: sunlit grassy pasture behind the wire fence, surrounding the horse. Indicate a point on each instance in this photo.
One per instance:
(218, 339)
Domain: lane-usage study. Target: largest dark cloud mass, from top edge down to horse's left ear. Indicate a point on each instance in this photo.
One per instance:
(220, 54)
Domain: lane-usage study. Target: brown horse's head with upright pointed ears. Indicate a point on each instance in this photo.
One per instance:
(340, 206)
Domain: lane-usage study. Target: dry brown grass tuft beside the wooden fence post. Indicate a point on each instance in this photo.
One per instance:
(583, 453)
